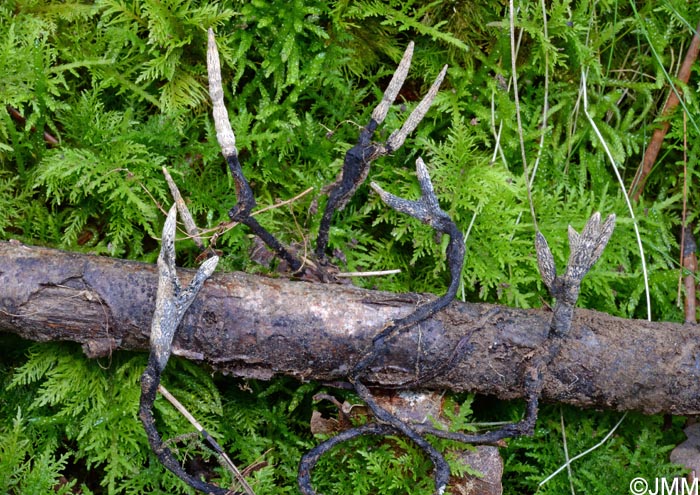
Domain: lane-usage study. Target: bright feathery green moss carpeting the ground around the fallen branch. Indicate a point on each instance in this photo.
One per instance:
(121, 84)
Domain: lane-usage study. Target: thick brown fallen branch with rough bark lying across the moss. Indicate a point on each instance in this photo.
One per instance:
(259, 327)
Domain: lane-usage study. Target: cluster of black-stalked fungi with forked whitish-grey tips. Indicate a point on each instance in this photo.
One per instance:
(173, 299)
